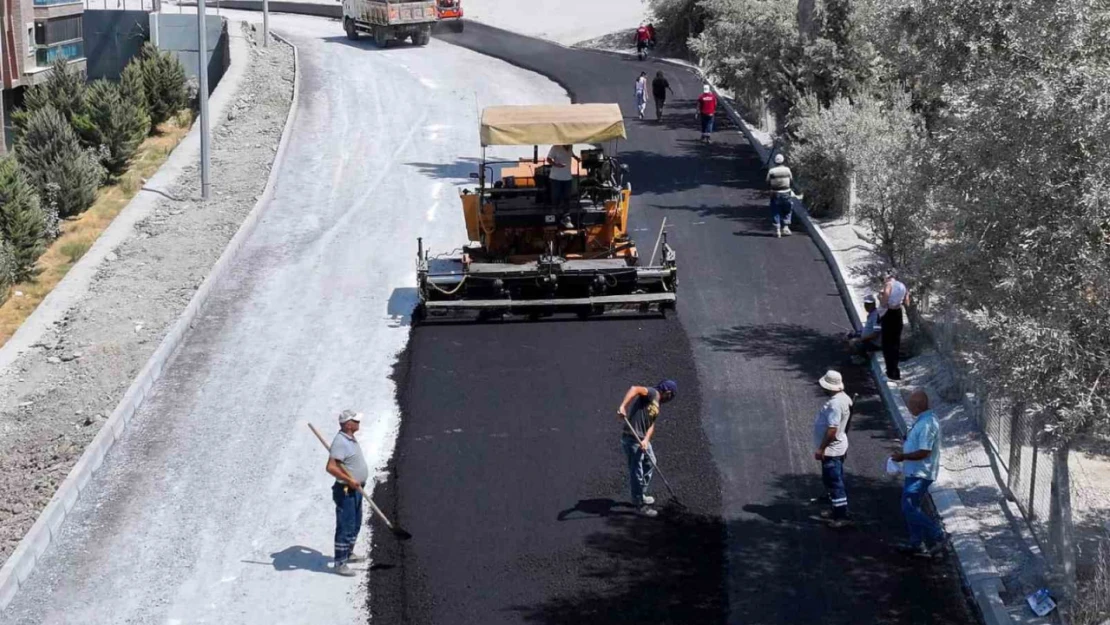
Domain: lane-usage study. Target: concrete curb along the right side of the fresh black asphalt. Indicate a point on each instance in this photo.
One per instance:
(980, 573)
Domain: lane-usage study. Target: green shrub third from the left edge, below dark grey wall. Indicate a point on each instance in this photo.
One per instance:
(114, 124)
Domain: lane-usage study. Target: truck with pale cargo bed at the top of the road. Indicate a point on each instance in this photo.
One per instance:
(389, 21)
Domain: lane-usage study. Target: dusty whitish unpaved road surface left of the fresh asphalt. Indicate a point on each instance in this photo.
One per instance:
(216, 508)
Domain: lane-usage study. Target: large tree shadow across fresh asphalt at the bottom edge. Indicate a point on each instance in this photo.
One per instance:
(786, 568)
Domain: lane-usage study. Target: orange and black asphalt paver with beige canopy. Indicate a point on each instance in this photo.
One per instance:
(530, 256)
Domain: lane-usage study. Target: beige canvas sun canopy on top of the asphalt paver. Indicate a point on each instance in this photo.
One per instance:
(551, 125)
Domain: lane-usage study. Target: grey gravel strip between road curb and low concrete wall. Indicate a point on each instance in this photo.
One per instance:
(49, 410)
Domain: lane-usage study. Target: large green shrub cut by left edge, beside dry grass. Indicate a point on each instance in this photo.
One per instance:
(24, 225)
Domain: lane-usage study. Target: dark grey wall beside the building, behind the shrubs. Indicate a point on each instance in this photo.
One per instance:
(113, 39)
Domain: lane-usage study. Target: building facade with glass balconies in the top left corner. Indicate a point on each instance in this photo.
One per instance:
(34, 34)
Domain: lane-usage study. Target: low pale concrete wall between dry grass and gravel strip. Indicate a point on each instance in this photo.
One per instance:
(76, 285)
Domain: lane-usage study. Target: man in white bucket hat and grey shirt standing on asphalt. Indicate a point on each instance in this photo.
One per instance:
(831, 442)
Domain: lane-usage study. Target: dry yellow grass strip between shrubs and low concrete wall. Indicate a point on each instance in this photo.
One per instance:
(78, 235)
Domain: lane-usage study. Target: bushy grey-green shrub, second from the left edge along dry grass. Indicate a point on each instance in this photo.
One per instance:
(57, 165)
